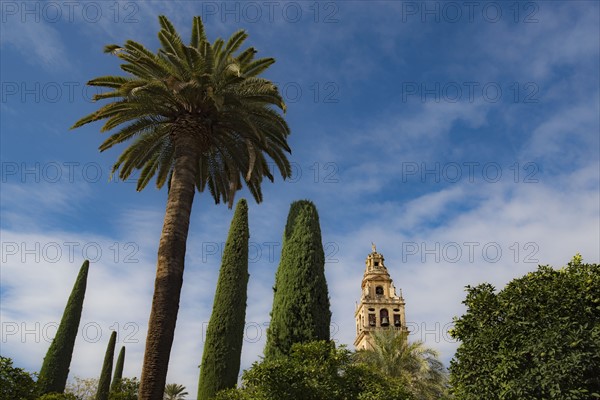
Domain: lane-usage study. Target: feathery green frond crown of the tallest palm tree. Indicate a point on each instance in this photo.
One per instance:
(211, 91)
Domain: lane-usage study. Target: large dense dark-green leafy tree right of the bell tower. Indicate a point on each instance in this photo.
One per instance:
(538, 338)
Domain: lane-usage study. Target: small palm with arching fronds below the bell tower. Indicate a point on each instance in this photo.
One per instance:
(416, 365)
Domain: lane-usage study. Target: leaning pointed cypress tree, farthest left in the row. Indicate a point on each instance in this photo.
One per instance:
(55, 368)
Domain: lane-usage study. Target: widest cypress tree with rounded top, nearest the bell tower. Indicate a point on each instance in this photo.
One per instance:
(301, 303)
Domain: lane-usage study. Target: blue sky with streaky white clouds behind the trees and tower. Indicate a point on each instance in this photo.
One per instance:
(463, 139)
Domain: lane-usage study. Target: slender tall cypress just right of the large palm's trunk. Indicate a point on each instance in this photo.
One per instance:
(223, 347)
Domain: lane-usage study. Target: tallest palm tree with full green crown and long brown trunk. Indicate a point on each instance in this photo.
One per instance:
(201, 117)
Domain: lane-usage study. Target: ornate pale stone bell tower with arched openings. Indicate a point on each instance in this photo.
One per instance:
(379, 307)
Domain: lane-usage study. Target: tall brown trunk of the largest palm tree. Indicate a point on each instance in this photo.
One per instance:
(169, 270)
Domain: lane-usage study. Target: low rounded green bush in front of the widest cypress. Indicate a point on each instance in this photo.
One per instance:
(315, 371)
